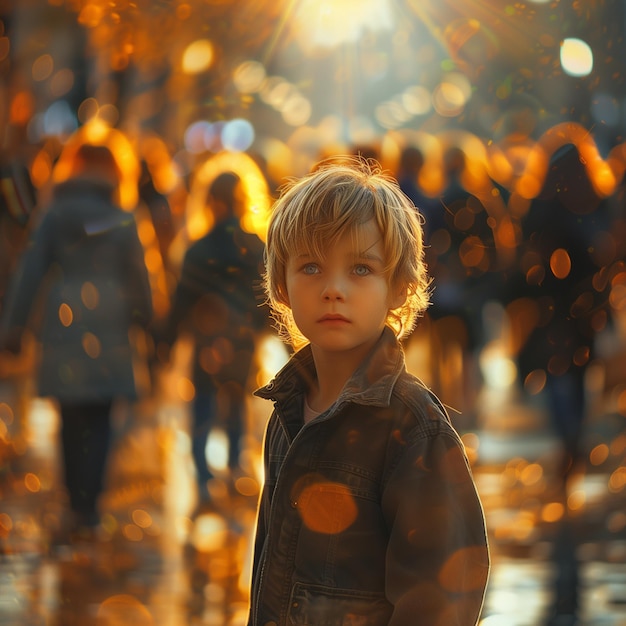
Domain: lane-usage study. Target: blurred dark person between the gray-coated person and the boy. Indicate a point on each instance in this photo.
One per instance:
(217, 300)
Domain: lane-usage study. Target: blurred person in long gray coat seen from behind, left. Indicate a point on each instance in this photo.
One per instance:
(81, 285)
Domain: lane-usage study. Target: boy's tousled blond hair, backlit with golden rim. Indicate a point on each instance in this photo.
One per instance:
(312, 213)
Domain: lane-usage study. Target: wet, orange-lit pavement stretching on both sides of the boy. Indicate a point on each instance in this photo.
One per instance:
(152, 565)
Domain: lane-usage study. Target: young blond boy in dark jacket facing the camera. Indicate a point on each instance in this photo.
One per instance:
(369, 515)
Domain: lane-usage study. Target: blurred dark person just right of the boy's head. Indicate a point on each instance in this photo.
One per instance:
(459, 253)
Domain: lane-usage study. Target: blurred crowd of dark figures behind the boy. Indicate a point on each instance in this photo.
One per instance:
(114, 262)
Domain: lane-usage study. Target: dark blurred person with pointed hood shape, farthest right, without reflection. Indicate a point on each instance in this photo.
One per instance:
(558, 239)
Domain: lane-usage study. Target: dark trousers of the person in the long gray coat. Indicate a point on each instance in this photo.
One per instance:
(86, 434)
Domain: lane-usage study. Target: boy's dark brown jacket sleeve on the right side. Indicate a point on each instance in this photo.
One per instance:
(437, 557)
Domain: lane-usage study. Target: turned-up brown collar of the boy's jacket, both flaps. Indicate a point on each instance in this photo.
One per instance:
(371, 384)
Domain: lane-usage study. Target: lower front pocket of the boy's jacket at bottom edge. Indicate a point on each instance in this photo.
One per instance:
(317, 605)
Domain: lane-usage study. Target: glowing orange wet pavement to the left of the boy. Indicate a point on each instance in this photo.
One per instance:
(149, 564)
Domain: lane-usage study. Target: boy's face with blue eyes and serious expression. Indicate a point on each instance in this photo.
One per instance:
(340, 302)
